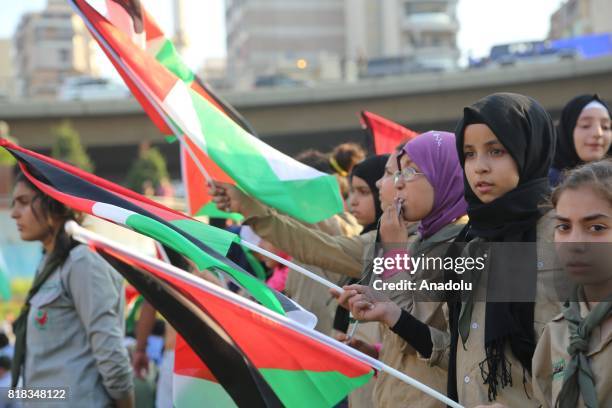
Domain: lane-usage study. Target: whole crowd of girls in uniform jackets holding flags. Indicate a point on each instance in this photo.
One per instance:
(507, 175)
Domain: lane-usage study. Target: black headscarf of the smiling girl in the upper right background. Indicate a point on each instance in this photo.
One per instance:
(566, 156)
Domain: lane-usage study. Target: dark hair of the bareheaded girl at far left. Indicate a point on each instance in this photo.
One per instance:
(49, 207)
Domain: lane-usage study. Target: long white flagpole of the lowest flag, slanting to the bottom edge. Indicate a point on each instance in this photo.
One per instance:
(81, 234)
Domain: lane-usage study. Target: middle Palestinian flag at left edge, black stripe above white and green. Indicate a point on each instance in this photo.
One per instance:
(203, 244)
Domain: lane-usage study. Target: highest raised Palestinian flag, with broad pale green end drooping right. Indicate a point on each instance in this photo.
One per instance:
(170, 98)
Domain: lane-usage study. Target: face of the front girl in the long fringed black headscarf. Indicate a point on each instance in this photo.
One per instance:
(489, 168)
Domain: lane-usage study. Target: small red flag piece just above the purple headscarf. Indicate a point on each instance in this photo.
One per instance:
(384, 135)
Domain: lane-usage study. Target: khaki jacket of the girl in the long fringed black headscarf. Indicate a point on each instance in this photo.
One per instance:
(470, 387)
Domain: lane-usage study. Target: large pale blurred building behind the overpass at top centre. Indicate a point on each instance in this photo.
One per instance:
(332, 39)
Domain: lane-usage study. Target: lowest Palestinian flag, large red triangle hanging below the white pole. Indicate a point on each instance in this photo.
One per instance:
(234, 352)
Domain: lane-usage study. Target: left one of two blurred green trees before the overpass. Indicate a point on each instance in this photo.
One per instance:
(67, 146)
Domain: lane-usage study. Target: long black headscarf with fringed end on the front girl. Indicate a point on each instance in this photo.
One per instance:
(526, 130)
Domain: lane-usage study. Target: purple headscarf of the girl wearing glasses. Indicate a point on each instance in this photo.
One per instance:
(436, 155)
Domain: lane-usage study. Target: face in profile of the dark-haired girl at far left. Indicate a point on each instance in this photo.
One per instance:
(24, 210)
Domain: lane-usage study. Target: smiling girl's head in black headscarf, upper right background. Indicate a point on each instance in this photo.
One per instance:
(583, 135)
